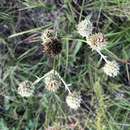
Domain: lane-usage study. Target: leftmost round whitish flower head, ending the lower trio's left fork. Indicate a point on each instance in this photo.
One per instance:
(25, 89)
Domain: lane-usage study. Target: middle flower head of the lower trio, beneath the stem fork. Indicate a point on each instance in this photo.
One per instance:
(52, 82)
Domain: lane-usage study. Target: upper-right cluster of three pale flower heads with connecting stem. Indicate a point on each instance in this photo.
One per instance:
(98, 42)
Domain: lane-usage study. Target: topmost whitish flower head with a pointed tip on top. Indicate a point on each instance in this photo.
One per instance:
(85, 27)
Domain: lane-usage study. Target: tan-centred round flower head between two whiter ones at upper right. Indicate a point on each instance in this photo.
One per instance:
(96, 41)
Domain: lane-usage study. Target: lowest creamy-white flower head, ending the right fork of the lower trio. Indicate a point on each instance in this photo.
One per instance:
(73, 100)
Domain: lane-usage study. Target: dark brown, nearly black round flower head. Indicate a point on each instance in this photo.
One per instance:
(52, 46)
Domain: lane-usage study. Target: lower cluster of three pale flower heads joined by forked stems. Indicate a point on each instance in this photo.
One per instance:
(53, 82)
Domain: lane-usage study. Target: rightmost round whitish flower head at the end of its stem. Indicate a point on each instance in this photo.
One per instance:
(111, 68)
